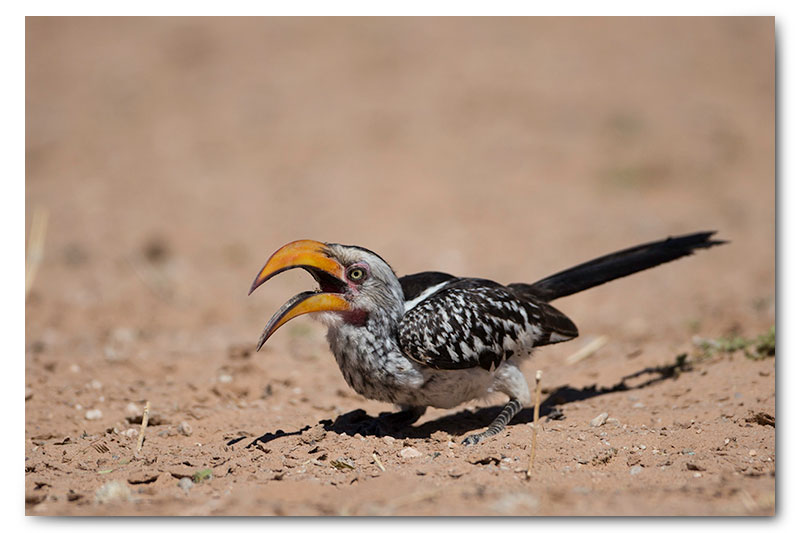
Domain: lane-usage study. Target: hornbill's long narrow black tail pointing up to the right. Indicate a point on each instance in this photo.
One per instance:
(617, 265)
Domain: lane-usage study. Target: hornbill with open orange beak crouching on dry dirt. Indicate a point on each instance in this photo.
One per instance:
(434, 339)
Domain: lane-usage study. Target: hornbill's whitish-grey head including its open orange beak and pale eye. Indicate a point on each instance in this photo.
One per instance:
(354, 283)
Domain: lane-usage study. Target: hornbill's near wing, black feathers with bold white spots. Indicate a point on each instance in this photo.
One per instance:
(463, 323)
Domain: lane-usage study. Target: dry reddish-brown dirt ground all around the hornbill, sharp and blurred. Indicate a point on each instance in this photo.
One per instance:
(172, 156)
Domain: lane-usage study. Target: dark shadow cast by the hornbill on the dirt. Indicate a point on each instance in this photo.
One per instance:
(464, 421)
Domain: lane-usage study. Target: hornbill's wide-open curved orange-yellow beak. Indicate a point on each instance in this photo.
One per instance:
(311, 256)
